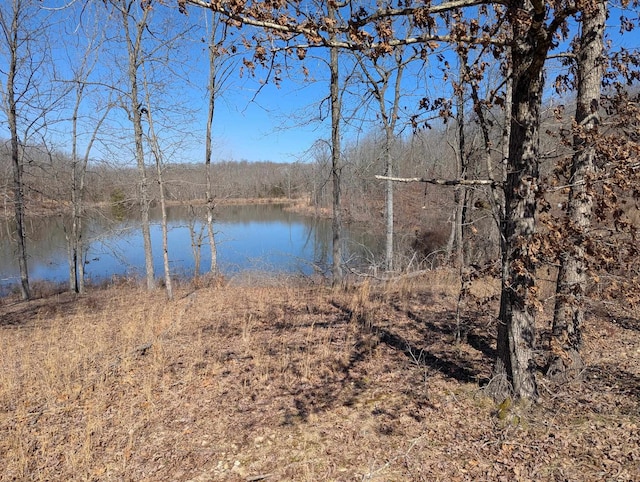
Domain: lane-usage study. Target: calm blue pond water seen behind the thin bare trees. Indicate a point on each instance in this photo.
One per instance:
(256, 237)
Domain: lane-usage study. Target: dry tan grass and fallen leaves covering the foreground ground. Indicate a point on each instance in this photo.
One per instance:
(276, 380)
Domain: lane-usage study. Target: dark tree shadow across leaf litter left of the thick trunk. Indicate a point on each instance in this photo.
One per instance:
(469, 362)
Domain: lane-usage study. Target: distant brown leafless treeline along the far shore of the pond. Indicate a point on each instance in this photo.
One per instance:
(423, 215)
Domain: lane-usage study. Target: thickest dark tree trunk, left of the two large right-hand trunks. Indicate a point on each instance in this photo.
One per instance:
(518, 303)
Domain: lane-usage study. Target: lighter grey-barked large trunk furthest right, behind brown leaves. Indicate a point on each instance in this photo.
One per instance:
(566, 362)
